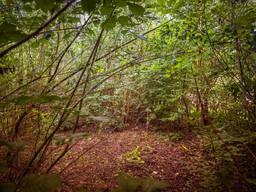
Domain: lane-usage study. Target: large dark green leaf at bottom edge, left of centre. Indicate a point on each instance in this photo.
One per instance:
(41, 183)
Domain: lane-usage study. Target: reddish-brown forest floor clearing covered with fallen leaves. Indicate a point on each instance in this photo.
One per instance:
(99, 158)
